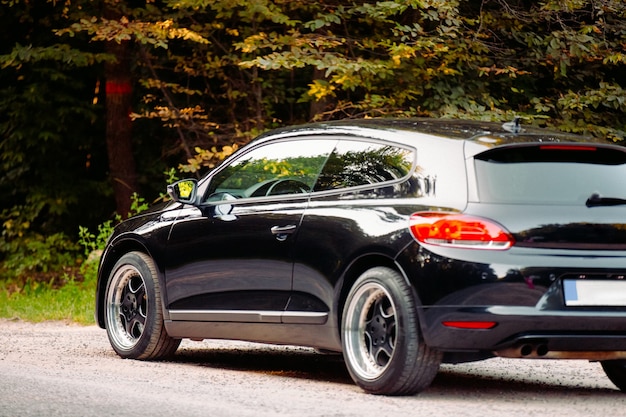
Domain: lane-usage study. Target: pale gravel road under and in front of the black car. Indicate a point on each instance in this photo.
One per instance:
(56, 369)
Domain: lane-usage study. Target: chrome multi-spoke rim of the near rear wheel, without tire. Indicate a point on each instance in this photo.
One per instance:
(370, 331)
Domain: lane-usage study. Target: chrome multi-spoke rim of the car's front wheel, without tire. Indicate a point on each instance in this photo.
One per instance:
(127, 305)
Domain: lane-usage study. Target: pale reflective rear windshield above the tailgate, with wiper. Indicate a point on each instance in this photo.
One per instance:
(550, 174)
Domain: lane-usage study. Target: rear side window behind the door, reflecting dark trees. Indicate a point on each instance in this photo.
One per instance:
(355, 163)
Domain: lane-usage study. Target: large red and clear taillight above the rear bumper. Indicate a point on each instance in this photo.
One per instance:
(459, 230)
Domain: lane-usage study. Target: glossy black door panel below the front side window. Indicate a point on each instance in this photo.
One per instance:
(232, 261)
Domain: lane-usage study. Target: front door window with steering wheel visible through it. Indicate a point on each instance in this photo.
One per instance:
(277, 168)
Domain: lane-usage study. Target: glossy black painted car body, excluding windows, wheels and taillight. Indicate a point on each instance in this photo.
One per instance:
(277, 269)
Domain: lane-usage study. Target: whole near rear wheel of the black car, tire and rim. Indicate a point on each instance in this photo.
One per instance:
(381, 337)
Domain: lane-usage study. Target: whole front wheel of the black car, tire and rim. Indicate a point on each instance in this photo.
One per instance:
(133, 312)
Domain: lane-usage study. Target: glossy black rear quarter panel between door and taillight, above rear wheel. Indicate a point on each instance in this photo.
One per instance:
(332, 235)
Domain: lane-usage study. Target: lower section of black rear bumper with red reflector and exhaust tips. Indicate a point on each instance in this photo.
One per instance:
(528, 332)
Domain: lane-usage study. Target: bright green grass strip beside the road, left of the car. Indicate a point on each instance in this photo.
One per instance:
(35, 301)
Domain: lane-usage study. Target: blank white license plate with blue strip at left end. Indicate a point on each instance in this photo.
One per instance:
(580, 292)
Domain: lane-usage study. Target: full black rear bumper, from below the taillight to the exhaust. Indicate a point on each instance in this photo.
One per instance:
(521, 293)
